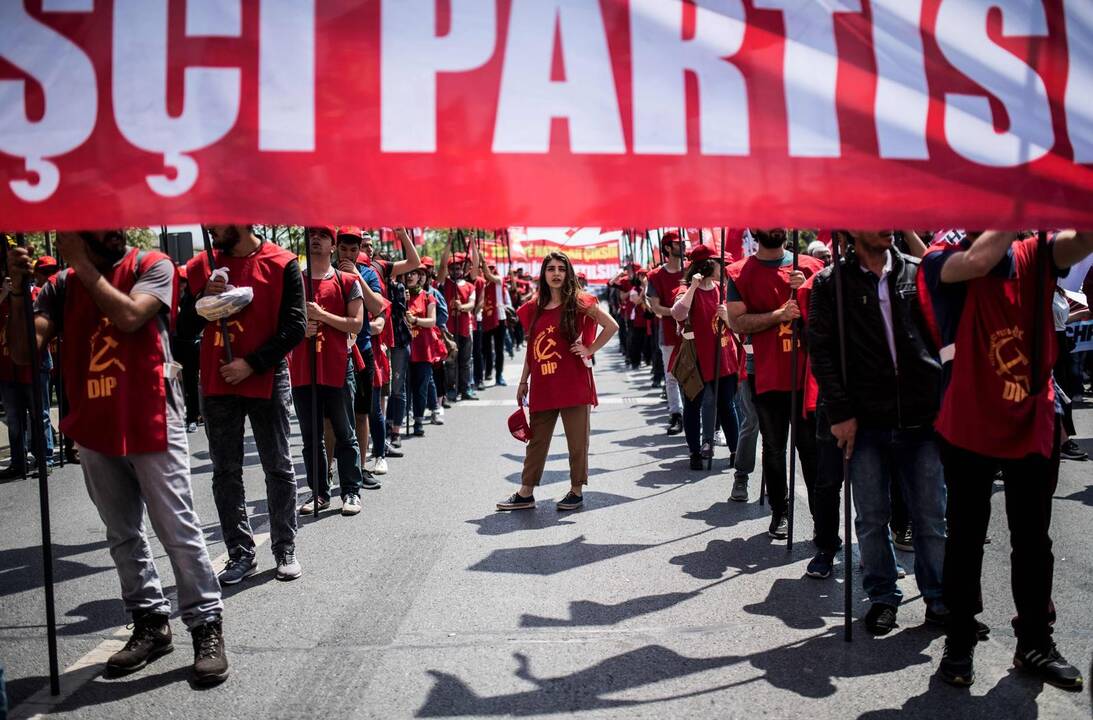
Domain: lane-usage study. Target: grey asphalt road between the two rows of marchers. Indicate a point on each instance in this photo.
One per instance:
(660, 599)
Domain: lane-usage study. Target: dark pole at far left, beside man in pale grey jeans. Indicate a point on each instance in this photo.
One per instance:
(39, 442)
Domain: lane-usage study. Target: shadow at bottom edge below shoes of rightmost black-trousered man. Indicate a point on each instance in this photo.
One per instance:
(1014, 698)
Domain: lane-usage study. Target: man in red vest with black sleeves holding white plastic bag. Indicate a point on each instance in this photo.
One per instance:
(254, 386)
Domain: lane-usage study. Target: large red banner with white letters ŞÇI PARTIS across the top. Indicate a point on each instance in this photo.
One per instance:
(601, 113)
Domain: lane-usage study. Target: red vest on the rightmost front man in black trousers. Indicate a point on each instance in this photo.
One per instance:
(988, 408)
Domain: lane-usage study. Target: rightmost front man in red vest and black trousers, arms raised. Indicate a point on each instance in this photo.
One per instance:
(991, 297)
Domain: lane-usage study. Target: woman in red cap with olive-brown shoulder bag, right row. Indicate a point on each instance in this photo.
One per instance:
(700, 303)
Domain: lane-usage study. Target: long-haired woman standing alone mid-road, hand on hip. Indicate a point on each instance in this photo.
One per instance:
(561, 329)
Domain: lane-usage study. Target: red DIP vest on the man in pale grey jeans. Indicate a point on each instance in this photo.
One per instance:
(116, 391)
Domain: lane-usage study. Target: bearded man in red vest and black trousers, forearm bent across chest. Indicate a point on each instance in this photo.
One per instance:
(761, 292)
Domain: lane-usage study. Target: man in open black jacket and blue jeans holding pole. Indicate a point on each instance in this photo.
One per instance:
(883, 419)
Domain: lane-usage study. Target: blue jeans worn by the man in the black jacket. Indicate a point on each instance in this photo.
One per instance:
(914, 456)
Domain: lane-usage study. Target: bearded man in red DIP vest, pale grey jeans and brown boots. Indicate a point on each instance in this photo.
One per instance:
(114, 310)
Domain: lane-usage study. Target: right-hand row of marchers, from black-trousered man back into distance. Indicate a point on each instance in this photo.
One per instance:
(930, 365)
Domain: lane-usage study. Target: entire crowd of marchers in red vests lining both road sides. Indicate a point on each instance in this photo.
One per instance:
(921, 368)
